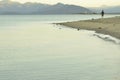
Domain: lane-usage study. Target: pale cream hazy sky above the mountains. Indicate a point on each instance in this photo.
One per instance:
(85, 3)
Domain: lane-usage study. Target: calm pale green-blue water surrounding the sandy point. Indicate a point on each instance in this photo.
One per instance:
(33, 49)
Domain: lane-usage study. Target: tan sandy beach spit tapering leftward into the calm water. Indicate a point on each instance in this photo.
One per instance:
(109, 26)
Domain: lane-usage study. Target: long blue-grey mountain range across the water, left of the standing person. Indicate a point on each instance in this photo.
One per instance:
(10, 7)
